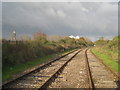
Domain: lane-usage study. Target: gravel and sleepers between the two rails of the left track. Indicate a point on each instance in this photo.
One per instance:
(36, 79)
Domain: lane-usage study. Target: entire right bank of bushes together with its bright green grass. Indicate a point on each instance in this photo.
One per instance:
(108, 51)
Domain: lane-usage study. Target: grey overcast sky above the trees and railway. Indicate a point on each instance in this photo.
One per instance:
(91, 20)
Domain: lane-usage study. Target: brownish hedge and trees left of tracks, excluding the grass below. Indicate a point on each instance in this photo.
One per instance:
(28, 50)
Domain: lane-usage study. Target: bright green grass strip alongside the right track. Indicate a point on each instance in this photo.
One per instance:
(107, 60)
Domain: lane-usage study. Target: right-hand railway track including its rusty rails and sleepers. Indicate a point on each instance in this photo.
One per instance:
(100, 76)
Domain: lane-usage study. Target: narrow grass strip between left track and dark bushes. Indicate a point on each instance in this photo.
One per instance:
(9, 72)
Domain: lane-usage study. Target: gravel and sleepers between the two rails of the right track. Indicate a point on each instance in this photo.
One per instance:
(102, 77)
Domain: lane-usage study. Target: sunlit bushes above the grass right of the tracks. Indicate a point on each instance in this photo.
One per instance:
(109, 47)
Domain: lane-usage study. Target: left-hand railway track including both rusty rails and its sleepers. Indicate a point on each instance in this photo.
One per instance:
(43, 75)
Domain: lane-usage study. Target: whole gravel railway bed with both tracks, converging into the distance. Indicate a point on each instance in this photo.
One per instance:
(74, 70)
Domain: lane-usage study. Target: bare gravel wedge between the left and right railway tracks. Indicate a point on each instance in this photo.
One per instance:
(74, 74)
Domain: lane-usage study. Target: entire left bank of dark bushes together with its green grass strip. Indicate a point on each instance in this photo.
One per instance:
(21, 55)
